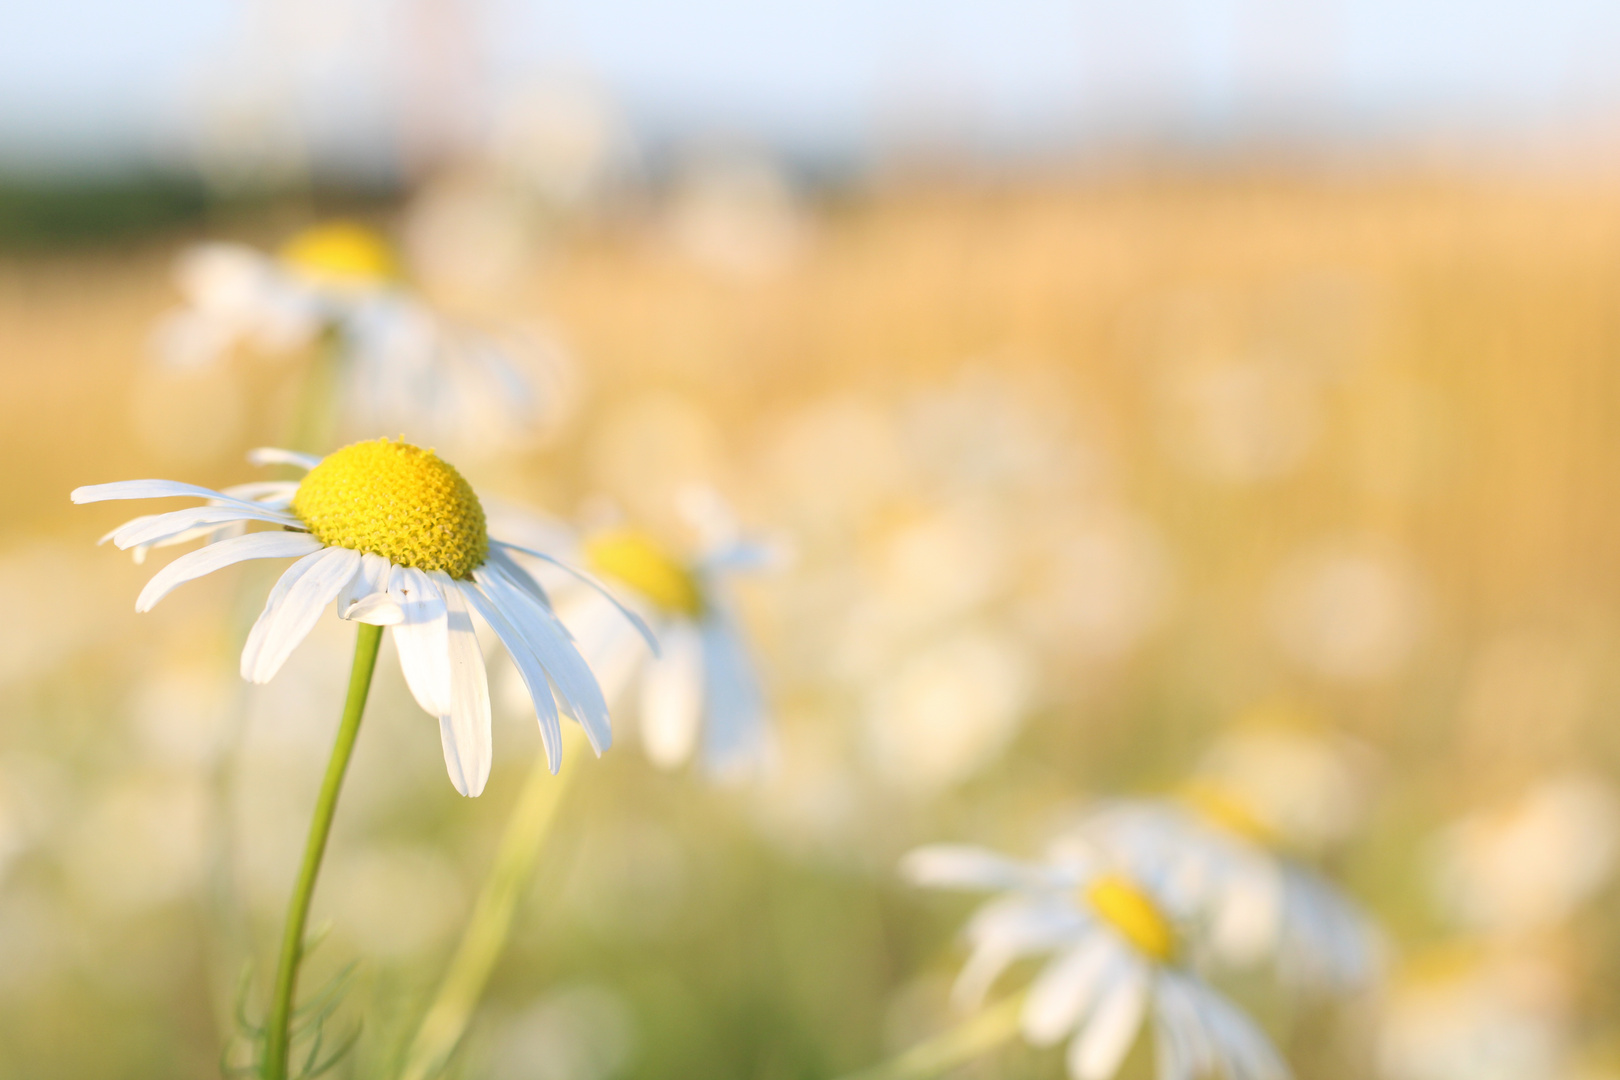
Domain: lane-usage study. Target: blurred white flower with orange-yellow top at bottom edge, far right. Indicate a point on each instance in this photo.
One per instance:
(1469, 1018)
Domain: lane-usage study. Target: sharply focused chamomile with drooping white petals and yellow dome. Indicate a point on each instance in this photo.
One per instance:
(396, 538)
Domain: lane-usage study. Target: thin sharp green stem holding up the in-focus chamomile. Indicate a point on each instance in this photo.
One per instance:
(278, 1027)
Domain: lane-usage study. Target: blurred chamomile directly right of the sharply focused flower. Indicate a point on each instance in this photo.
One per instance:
(701, 697)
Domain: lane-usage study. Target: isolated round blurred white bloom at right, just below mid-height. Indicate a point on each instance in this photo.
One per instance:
(1349, 611)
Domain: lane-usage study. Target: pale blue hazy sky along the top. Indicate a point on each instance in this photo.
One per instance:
(111, 79)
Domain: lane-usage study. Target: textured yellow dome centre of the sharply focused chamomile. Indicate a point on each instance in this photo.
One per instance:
(396, 501)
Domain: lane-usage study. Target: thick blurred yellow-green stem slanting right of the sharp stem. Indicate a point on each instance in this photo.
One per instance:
(492, 921)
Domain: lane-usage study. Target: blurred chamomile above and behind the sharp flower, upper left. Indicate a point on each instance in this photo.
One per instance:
(399, 364)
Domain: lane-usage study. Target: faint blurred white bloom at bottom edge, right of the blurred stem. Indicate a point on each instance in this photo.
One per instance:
(581, 1032)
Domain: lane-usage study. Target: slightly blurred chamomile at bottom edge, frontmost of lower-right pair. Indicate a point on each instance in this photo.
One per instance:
(1114, 932)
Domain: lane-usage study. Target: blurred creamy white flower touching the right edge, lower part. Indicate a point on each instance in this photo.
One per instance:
(1530, 865)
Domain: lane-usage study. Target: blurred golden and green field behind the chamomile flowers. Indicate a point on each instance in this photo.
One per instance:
(1136, 453)
